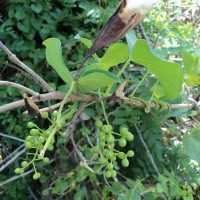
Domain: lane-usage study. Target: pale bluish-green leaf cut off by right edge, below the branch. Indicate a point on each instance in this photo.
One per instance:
(191, 144)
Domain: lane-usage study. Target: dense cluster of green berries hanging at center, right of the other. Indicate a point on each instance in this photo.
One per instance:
(108, 154)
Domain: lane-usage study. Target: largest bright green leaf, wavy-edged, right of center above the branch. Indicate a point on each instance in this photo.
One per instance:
(169, 74)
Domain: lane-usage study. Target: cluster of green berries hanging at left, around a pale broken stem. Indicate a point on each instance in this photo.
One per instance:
(36, 140)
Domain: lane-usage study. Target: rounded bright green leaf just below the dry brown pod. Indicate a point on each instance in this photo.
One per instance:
(116, 53)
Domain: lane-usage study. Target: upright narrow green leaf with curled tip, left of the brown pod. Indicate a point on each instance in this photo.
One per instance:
(55, 59)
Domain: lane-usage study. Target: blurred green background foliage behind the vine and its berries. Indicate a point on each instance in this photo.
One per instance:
(173, 29)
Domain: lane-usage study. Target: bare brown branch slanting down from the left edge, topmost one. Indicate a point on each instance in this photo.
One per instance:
(13, 58)
